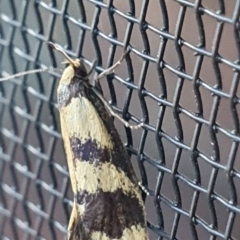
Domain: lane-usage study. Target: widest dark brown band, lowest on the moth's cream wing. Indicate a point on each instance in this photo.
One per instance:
(110, 212)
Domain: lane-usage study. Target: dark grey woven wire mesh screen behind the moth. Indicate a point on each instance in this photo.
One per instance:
(181, 79)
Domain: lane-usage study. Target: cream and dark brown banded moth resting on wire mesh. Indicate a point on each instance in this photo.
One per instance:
(107, 200)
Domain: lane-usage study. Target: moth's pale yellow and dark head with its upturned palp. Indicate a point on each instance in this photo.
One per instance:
(76, 67)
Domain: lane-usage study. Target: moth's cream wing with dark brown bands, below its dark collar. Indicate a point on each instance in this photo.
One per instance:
(107, 204)
